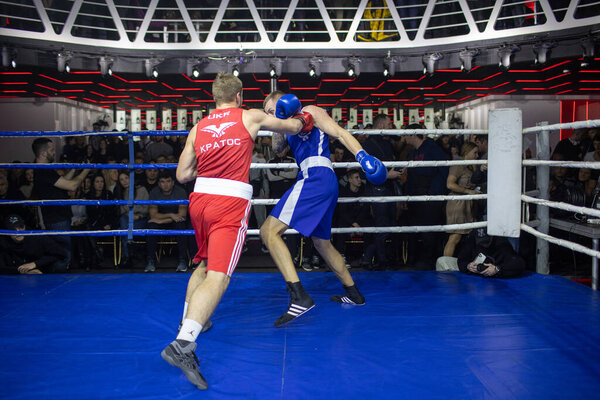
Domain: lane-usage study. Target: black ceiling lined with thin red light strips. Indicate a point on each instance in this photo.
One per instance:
(406, 89)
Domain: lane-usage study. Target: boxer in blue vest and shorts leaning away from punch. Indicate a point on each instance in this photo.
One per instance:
(308, 206)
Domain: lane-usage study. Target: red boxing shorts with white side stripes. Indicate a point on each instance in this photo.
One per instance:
(220, 223)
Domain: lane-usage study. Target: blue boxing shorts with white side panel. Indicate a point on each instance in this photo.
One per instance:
(308, 206)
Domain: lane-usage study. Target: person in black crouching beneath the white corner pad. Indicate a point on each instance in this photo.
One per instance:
(489, 256)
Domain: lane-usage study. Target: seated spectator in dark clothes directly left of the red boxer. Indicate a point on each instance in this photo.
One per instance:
(167, 216)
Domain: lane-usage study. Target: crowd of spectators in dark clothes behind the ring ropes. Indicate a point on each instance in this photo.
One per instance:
(369, 251)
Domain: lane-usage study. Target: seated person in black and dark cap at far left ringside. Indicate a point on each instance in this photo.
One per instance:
(29, 254)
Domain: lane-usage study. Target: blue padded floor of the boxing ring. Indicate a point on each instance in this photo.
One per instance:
(421, 335)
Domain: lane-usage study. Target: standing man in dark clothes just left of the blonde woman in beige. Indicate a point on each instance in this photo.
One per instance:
(425, 181)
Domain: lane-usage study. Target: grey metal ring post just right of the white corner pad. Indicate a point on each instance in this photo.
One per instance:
(543, 179)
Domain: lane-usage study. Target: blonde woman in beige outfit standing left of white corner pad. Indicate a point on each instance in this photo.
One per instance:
(460, 211)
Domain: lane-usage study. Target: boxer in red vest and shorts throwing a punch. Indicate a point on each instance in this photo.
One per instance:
(217, 155)
